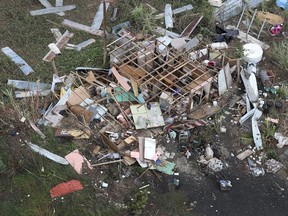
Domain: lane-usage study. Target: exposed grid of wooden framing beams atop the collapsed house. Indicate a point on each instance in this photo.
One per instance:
(153, 67)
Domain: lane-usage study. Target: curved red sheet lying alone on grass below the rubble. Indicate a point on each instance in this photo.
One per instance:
(66, 188)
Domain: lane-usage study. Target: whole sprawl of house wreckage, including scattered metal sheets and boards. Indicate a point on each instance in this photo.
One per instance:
(157, 92)
